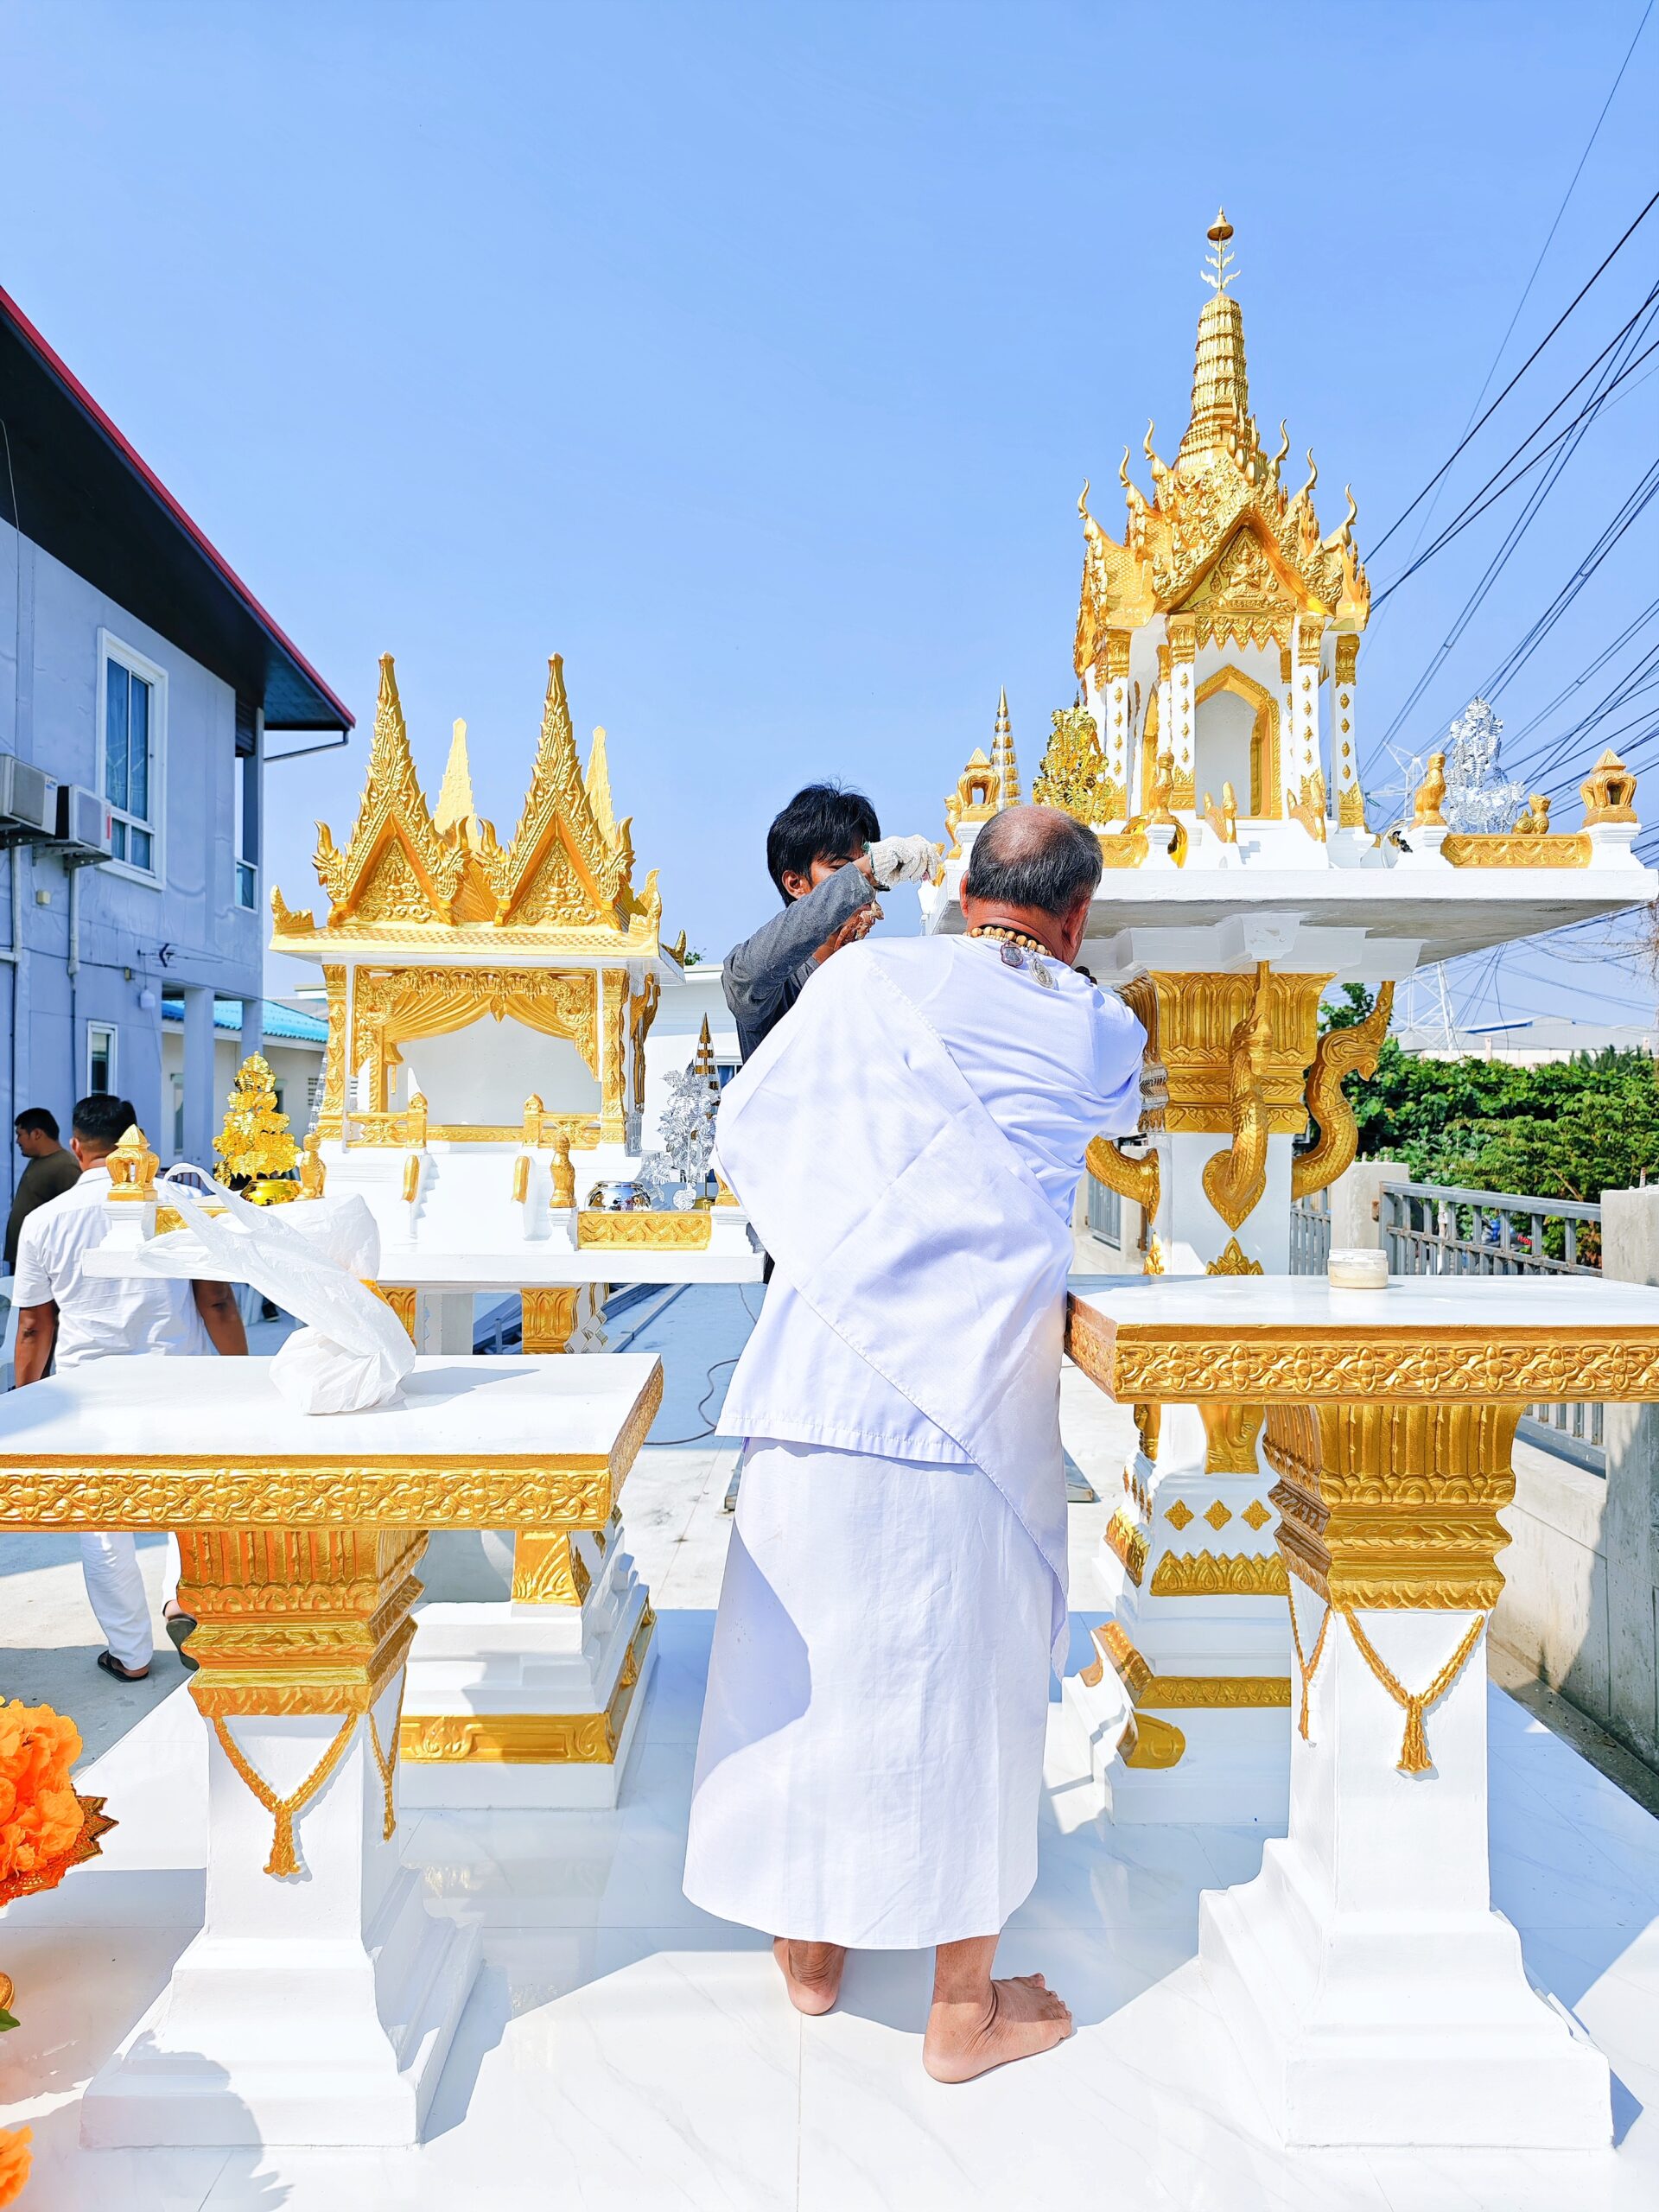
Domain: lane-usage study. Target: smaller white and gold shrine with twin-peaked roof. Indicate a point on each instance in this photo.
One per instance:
(486, 1072)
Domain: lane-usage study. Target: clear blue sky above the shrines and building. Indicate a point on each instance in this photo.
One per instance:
(753, 357)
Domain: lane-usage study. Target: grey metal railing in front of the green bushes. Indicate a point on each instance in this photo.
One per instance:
(1434, 1229)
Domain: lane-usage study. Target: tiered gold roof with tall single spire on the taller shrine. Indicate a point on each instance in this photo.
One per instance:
(1220, 508)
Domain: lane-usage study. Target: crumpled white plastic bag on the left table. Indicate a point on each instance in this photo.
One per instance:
(353, 1353)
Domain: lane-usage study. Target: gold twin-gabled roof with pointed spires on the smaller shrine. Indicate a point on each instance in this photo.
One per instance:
(406, 875)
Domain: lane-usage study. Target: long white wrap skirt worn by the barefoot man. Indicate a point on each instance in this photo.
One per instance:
(870, 1757)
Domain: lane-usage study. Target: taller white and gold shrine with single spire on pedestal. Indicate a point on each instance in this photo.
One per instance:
(1213, 749)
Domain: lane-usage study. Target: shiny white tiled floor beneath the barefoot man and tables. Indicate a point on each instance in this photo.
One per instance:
(625, 2052)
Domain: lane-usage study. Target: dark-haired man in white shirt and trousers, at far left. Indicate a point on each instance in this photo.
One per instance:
(70, 1317)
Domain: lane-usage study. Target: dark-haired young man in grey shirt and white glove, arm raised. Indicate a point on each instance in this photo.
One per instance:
(828, 859)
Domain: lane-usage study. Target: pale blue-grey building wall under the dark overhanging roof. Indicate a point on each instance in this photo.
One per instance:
(185, 932)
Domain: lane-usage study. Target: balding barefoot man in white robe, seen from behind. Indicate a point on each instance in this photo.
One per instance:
(908, 1145)
